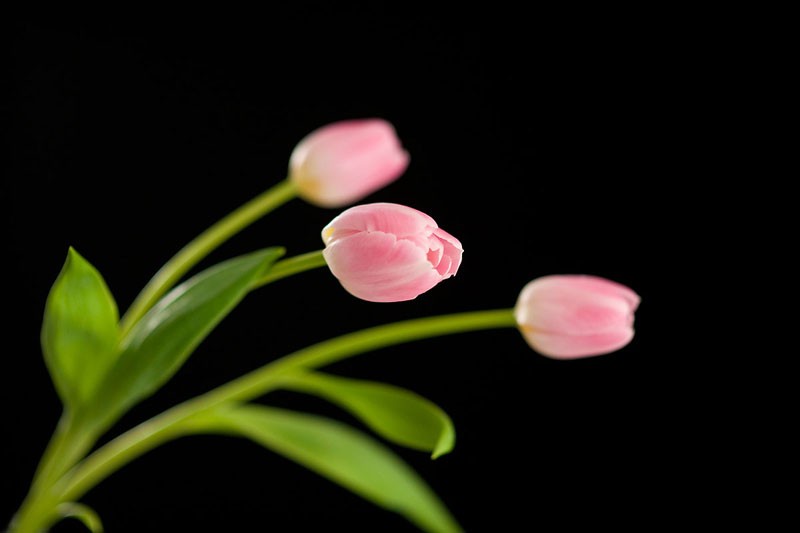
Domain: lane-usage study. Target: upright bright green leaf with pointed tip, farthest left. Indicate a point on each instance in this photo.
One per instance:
(79, 330)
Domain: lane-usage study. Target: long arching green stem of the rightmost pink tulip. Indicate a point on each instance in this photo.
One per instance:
(177, 421)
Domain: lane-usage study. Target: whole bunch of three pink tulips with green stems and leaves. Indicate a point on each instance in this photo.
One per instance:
(102, 365)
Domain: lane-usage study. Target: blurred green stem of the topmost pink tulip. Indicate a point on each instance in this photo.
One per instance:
(204, 244)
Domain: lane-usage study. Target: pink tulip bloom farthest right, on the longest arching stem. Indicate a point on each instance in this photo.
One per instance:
(566, 317)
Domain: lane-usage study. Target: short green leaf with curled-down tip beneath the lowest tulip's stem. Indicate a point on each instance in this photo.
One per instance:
(397, 414)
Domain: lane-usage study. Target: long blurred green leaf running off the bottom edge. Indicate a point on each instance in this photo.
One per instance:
(343, 455)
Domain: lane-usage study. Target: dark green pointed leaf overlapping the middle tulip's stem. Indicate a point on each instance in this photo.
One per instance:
(167, 334)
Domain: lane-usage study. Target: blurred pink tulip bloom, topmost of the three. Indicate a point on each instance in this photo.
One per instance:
(343, 162)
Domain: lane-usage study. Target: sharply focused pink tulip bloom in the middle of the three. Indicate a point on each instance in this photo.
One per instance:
(389, 252)
